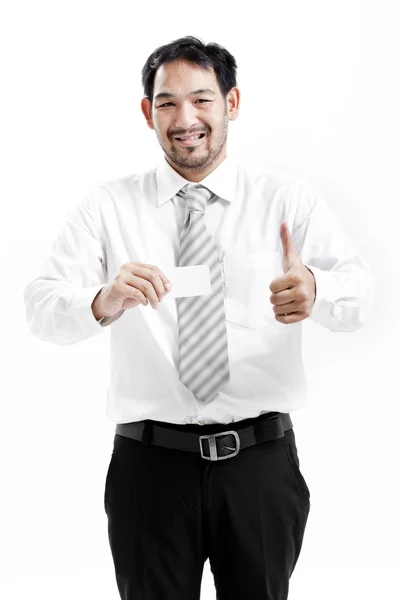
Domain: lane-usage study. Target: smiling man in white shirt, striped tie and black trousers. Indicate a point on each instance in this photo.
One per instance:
(206, 272)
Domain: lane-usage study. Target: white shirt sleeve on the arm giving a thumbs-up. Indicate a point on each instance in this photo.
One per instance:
(345, 286)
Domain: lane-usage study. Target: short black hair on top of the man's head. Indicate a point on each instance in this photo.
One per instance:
(194, 50)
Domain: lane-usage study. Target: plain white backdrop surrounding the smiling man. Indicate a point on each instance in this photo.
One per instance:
(320, 99)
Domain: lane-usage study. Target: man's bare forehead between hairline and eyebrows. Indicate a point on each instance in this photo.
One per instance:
(182, 77)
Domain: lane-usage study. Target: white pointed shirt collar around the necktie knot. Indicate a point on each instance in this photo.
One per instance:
(221, 181)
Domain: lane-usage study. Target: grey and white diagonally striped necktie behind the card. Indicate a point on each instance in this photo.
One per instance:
(203, 344)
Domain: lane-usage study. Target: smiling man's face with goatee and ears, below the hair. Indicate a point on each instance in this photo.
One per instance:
(180, 110)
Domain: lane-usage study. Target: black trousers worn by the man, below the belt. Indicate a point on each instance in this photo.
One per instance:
(169, 510)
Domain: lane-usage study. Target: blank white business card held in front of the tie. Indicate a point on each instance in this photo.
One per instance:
(193, 280)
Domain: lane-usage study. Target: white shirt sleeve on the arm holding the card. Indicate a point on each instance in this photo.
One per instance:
(59, 301)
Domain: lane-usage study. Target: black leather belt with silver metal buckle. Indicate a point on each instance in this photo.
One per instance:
(223, 444)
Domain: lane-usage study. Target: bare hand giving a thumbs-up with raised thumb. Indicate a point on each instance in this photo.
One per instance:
(293, 294)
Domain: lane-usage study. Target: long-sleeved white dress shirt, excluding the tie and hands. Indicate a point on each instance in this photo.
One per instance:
(138, 218)
